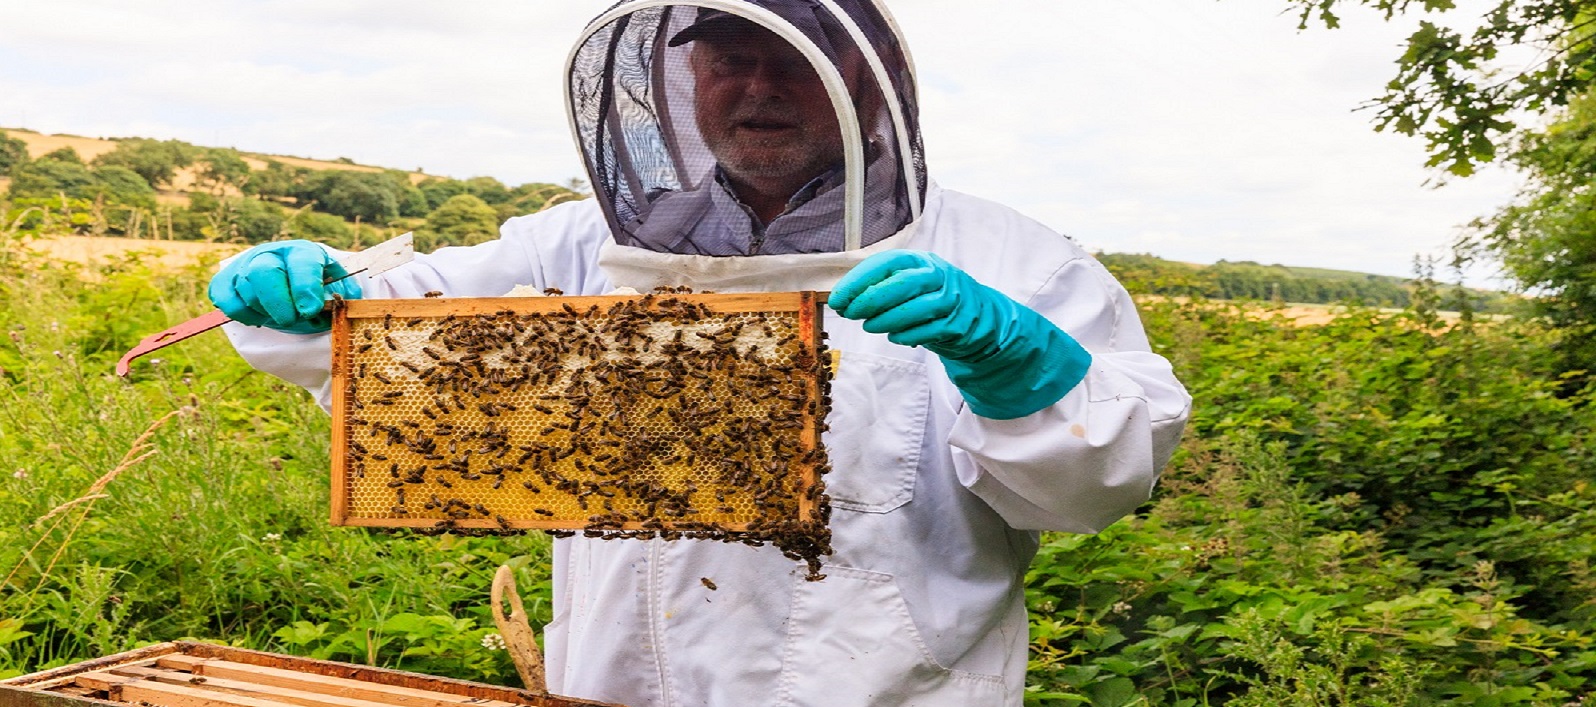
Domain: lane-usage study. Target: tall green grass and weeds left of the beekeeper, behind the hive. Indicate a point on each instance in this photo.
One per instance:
(191, 500)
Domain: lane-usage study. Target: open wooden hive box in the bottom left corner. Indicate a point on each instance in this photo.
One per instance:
(186, 674)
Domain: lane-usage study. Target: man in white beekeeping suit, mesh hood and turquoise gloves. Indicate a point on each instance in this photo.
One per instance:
(994, 379)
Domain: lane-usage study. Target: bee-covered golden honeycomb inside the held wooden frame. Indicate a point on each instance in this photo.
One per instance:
(639, 417)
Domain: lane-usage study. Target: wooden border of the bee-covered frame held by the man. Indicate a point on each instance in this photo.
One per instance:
(804, 309)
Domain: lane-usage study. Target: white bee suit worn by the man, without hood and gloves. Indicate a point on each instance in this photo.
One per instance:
(936, 510)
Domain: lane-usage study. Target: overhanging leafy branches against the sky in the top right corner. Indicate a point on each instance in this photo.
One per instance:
(1452, 87)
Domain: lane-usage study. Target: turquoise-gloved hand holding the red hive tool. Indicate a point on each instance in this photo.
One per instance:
(280, 286)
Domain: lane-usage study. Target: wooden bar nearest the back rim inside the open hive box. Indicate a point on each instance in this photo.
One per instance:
(323, 684)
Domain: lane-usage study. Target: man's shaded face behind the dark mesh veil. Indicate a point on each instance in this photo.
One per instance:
(764, 111)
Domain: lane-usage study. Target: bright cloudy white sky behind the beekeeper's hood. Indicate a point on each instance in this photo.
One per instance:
(1193, 130)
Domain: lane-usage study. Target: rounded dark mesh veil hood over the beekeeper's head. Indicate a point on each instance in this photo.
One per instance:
(636, 100)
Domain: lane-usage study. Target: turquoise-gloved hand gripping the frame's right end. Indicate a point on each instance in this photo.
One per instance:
(1008, 360)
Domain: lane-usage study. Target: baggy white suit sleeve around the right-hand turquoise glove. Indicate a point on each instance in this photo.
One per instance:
(1094, 456)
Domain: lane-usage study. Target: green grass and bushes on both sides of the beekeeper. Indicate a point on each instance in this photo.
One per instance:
(1386, 510)
